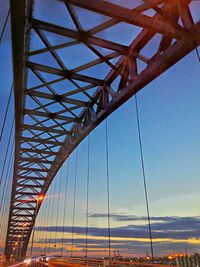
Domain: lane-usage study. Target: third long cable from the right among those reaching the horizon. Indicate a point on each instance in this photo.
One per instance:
(87, 197)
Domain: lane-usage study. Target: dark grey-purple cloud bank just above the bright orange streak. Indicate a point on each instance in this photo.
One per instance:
(162, 227)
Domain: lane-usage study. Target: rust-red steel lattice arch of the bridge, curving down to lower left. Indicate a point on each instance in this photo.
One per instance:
(54, 114)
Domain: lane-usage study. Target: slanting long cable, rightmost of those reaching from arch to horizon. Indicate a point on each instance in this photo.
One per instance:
(144, 176)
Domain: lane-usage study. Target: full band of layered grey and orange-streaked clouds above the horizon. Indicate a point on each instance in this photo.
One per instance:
(169, 234)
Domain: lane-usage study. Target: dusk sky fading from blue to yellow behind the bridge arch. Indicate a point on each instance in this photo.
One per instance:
(170, 127)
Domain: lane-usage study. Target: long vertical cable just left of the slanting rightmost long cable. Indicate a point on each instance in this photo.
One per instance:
(108, 191)
